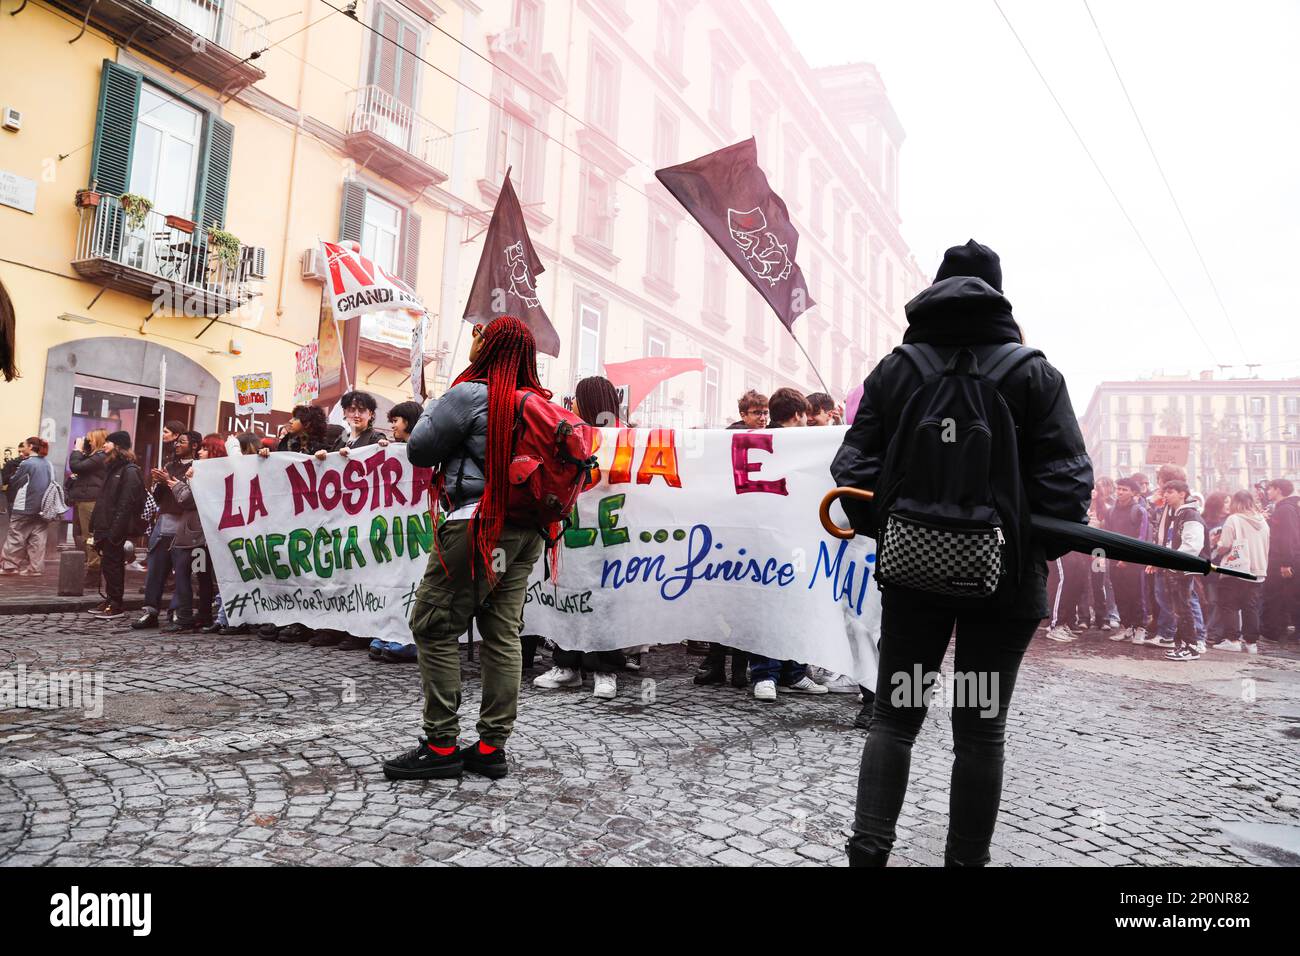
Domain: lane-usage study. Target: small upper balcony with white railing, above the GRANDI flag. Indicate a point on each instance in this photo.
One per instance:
(392, 140)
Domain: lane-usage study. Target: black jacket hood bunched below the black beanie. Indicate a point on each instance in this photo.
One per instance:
(961, 310)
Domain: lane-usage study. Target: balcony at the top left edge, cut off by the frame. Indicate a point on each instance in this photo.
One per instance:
(207, 40)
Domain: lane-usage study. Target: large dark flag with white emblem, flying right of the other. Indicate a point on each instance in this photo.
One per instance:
(729, 196)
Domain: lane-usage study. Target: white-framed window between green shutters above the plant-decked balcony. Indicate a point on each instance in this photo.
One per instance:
(166, 163)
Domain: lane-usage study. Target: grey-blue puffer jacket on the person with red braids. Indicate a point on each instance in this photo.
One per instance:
(452, 435)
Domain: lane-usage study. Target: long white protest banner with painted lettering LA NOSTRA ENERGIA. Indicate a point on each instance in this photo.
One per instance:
(710, 535)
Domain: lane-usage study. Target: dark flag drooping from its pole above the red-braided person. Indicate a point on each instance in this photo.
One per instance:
(506, 282)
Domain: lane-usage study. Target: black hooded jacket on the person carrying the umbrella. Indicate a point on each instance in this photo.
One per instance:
(1056, 469)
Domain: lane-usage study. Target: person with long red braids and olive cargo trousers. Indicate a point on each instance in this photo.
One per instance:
(482, 564)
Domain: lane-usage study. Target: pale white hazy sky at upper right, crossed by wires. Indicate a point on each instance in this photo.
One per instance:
(989, 155)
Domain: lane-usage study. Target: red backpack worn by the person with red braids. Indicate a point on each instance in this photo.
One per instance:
(551, 465)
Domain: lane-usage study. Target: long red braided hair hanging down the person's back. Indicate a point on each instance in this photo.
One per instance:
(508, 362)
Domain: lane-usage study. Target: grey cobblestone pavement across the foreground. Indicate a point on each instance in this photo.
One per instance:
(229, 750)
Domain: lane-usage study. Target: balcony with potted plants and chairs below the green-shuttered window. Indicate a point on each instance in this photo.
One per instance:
(162, 261)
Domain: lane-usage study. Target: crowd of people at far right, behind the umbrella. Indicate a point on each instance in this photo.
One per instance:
(1255, 531)
